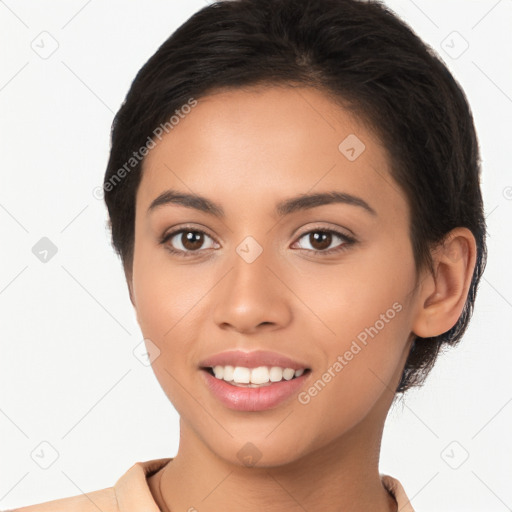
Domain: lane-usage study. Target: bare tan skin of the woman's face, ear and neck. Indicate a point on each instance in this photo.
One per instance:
(247, 150)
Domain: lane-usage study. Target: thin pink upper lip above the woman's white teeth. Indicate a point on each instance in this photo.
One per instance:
(251, 359)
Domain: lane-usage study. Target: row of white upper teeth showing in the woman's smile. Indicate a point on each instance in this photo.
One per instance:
(262, 375)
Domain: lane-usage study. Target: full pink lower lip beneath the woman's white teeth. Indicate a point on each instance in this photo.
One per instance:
(253, 399)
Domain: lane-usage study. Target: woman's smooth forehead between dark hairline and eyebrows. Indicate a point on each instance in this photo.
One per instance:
(282, 141)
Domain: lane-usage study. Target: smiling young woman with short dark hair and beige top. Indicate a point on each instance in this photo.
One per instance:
(293, 189)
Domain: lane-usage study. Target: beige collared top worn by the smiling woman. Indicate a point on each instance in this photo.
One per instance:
(131, 493)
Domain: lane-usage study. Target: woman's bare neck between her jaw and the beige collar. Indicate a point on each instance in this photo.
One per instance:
(340, 476)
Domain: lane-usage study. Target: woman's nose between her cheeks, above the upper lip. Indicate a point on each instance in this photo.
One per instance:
(251, 297)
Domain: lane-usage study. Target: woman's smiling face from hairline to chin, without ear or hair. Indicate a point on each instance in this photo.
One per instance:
(327, 283)
